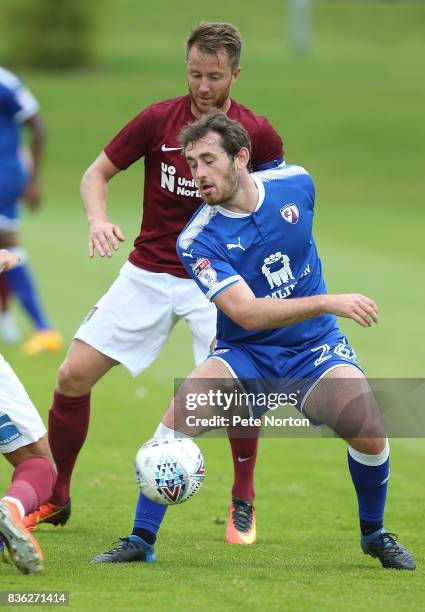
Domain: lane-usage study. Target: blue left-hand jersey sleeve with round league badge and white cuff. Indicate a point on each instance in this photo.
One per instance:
(211, 272)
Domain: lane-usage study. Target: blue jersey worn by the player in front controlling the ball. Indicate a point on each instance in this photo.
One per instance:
(271, 249)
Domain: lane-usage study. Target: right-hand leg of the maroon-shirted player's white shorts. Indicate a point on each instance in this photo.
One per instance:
(200, 314)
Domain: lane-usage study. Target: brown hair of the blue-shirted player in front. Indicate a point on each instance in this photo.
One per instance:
(233, 135)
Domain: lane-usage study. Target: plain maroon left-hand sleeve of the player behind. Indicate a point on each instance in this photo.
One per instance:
(133, 141)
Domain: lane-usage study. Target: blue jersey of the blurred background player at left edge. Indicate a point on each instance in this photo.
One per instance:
(17, 105)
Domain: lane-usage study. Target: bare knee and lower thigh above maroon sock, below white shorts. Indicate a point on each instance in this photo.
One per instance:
(82, 368)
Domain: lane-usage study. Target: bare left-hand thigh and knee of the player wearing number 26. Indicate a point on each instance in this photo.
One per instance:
(200, 396)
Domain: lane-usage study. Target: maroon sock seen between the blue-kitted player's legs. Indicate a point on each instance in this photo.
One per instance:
(244, 453)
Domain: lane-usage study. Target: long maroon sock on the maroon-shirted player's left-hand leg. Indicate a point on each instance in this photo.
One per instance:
(68, 426)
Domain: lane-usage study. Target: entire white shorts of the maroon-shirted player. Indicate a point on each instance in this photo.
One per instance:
(134, 319)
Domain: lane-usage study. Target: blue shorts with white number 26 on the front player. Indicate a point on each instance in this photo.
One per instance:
(278, 370)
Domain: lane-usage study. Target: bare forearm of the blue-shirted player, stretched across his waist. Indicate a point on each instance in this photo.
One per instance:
(265, 313)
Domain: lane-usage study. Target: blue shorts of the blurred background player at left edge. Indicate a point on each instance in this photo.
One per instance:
(13, 178)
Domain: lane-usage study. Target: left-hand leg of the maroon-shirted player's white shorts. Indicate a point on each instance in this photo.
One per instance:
(133, 320)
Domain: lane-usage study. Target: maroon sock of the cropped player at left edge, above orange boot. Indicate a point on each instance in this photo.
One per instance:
(32, 482)
